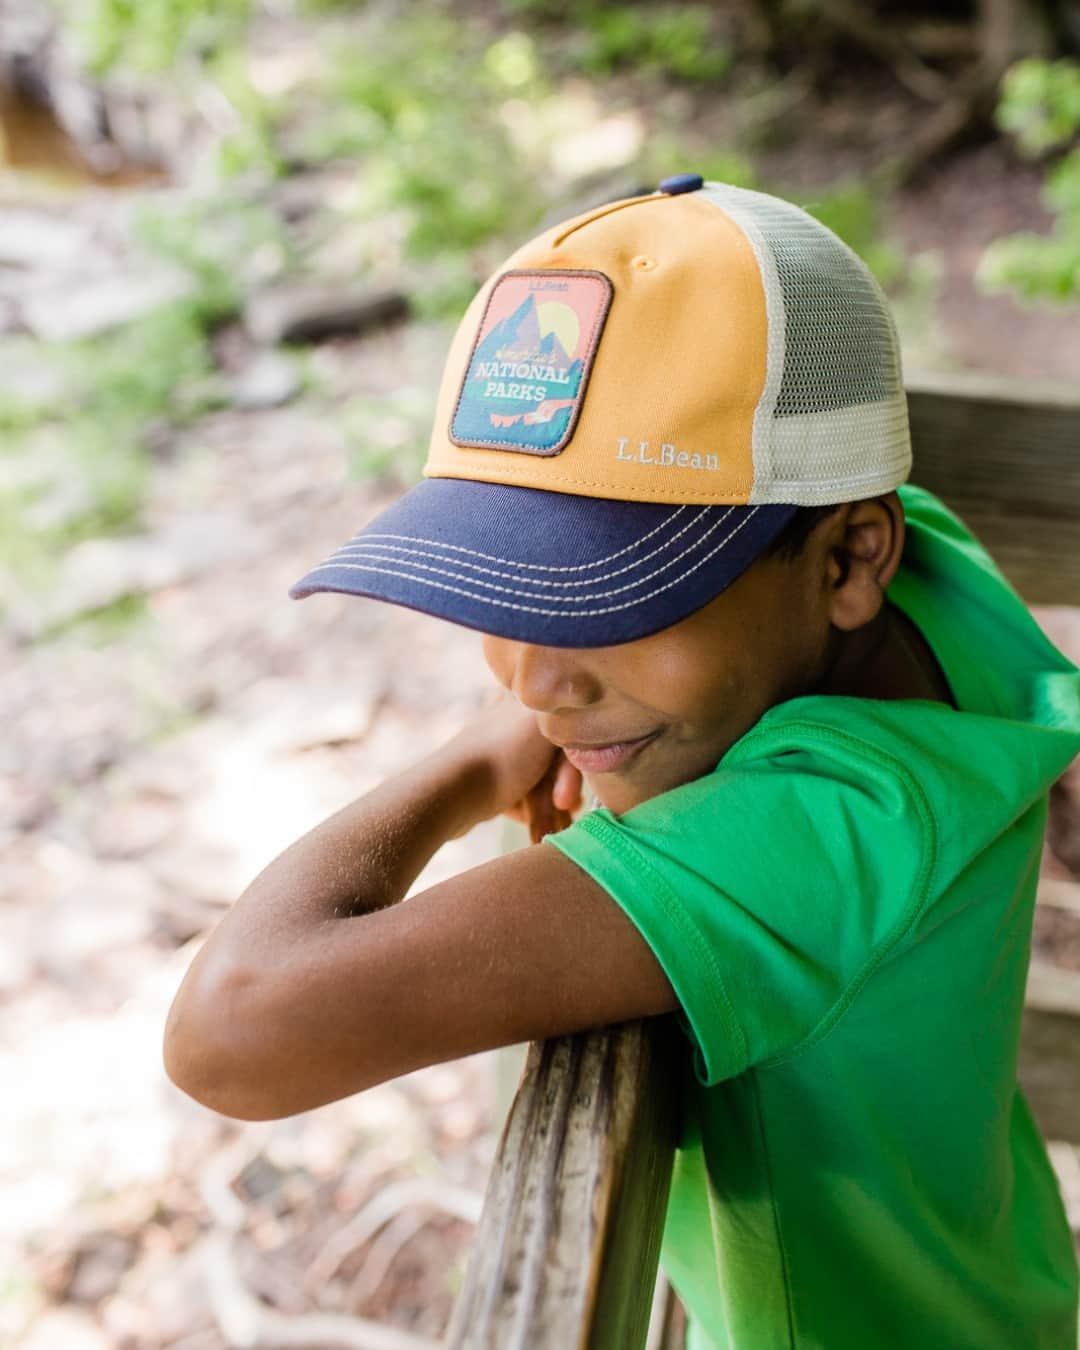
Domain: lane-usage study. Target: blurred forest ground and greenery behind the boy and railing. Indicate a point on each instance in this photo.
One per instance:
(234, 241)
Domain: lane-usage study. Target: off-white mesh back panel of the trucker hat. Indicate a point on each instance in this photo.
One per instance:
(832, 421)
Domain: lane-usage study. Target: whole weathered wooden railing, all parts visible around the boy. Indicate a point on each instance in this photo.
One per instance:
(568, 1247)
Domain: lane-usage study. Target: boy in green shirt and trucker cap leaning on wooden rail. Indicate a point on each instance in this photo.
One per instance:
(665, 483)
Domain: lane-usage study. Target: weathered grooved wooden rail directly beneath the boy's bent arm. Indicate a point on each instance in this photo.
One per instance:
(569, 1241)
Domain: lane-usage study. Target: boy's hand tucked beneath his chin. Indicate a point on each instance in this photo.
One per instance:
(531, 781)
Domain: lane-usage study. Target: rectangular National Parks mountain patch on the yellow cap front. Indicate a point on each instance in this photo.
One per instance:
(531, 362)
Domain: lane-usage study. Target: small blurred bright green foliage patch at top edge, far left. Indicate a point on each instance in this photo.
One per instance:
(152, 36)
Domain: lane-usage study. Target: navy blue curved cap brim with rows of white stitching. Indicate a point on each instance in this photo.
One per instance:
(546, 568)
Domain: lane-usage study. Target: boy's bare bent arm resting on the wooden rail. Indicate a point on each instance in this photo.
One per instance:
(318, 983)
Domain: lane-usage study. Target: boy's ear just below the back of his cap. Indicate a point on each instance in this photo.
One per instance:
(866, 543)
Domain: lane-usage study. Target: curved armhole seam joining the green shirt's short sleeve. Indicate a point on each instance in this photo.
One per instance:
(920, 886)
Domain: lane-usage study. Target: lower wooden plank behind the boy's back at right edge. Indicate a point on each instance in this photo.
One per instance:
(1051, 1051)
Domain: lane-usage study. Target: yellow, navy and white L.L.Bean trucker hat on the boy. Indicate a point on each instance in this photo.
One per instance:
(632, 408)
